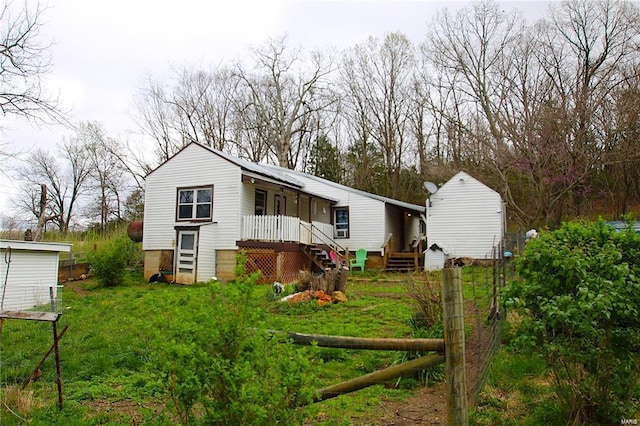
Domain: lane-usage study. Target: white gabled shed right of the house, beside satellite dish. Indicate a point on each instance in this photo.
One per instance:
(465, 218)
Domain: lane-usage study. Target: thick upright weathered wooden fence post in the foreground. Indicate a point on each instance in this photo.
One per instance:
(453, 318)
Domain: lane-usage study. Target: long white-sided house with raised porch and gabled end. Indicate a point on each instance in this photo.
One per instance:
(203, 205)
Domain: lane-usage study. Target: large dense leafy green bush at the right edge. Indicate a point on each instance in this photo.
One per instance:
(579, 294)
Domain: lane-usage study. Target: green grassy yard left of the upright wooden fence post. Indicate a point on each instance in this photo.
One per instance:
(108, 353)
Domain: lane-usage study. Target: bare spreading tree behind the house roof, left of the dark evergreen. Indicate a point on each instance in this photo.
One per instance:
(282, 95)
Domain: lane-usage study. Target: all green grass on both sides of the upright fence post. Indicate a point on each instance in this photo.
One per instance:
(109, 357)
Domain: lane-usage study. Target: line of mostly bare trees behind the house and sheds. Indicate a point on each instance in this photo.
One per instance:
(545, 112)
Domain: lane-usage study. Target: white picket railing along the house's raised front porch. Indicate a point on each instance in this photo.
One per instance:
(283, 229)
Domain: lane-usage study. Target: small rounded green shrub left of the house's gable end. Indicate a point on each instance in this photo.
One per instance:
(110, 261)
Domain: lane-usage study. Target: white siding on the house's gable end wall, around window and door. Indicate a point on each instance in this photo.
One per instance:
(193, 166)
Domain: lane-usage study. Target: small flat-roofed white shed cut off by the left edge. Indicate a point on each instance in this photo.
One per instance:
(28, 272)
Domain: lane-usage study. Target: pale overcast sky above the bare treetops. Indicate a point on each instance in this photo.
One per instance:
(102, 50)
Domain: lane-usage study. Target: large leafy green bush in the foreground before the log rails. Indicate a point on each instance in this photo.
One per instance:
(223, 366)
